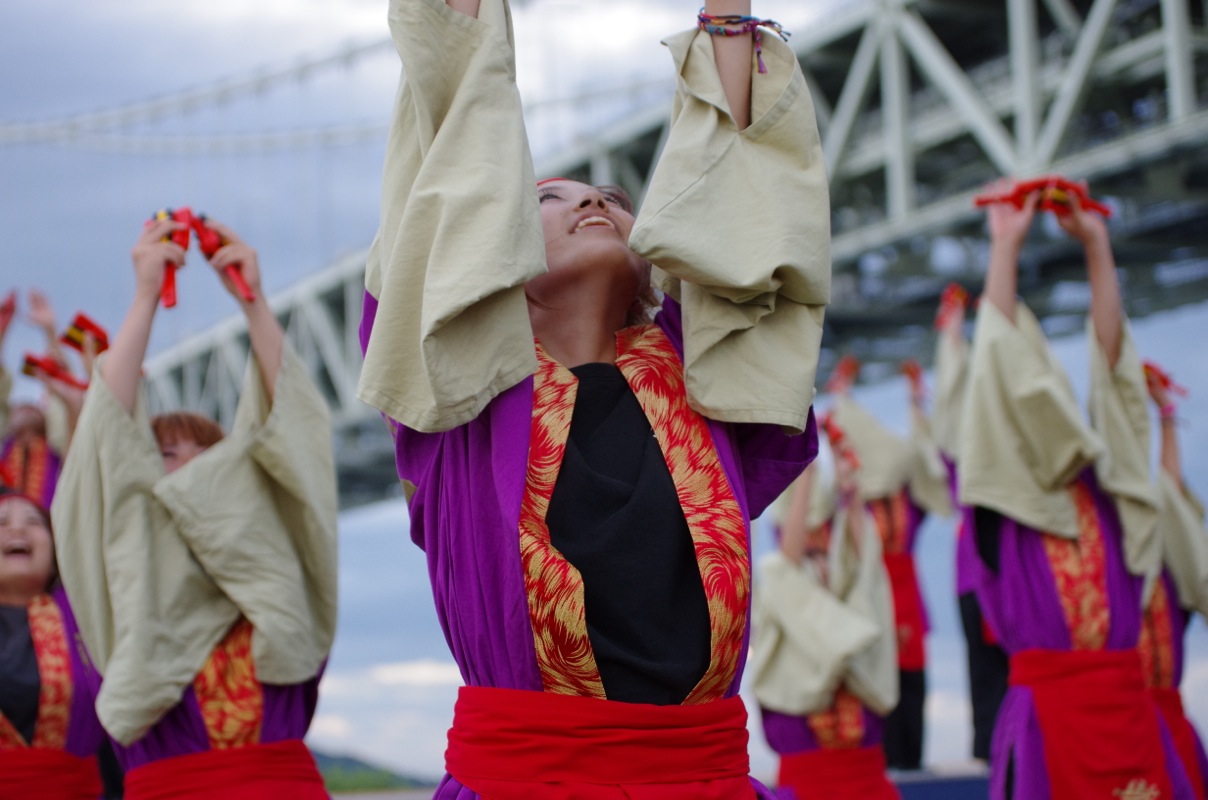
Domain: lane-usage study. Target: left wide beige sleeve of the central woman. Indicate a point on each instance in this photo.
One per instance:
(460, 231)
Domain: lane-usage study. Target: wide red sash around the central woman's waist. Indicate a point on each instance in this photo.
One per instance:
(514, 745)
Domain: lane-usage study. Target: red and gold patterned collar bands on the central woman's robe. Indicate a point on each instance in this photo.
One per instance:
(555, 588)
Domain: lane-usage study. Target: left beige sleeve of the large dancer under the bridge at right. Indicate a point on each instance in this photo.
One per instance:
(1023, 436)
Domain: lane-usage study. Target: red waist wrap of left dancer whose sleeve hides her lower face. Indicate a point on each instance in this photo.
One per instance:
(277, 772)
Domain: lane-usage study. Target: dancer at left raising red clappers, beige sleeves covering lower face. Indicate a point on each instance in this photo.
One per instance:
(206, 565)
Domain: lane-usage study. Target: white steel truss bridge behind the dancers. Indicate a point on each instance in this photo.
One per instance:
(920, 102)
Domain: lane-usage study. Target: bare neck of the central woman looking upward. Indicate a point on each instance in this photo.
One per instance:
(577, 328)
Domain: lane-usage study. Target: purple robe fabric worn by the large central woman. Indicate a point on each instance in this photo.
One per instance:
(466, 517)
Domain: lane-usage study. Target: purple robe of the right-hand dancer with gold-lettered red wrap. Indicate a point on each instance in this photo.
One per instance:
(1021, 605)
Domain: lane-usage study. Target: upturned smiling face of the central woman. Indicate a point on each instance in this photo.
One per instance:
(588, 233)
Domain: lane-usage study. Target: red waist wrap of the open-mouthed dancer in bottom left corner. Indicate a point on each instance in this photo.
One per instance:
(45, 774)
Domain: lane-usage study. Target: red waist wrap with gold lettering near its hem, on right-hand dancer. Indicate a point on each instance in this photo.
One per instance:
(1101, 732)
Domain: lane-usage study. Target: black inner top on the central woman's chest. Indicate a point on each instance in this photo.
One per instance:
(617, 518)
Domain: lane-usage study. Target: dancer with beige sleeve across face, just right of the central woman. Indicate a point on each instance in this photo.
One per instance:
(824, 650)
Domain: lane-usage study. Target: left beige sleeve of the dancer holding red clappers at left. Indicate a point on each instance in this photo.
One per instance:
(148, 613)
